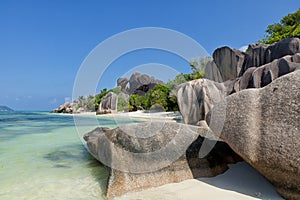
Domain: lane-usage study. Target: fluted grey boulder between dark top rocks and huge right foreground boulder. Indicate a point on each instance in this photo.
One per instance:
(257, 77)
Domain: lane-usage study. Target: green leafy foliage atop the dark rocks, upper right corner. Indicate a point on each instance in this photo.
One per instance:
(289, 26)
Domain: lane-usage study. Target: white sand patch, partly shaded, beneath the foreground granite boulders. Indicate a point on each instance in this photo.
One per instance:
(241, 181)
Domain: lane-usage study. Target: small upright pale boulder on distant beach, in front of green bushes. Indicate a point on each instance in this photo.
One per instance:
(109, 104)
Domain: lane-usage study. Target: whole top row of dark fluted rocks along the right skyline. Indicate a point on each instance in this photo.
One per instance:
(233, 63)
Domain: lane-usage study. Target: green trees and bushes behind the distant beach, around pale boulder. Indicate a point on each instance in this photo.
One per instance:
(162, 96)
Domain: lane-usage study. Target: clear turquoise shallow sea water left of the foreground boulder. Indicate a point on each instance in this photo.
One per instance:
(42, 157)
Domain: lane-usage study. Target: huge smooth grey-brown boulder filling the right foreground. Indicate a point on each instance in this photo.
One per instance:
(263, 127)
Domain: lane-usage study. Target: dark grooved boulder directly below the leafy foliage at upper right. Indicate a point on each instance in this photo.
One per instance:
(261, 54)
